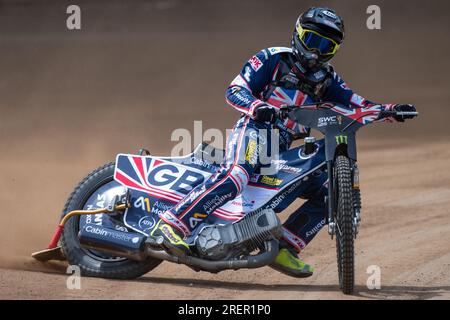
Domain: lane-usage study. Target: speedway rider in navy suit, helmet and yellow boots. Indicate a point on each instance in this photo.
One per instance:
(272, 78)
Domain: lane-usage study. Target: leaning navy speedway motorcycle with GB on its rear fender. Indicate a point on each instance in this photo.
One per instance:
(106, 221)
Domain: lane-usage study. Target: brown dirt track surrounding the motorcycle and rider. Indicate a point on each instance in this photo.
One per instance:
(71, 100)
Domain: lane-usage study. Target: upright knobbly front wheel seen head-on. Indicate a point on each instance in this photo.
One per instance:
(344, 224)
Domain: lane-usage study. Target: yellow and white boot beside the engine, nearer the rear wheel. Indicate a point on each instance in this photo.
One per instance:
(173, 239)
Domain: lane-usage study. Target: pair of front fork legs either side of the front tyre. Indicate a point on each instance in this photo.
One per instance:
(331, 200)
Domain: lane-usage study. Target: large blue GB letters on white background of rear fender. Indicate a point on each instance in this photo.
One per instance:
(175, 178)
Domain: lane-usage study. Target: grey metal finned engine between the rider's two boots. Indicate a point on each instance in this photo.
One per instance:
(220, 242)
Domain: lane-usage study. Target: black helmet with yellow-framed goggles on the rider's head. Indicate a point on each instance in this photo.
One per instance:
(317, 36)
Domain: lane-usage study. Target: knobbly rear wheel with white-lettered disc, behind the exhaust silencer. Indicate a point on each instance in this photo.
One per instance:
(93, 192)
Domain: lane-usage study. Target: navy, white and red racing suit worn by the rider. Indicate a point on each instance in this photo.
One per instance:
(269, 77)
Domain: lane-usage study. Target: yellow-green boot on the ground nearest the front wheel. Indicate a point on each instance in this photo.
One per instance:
(287, 262)
